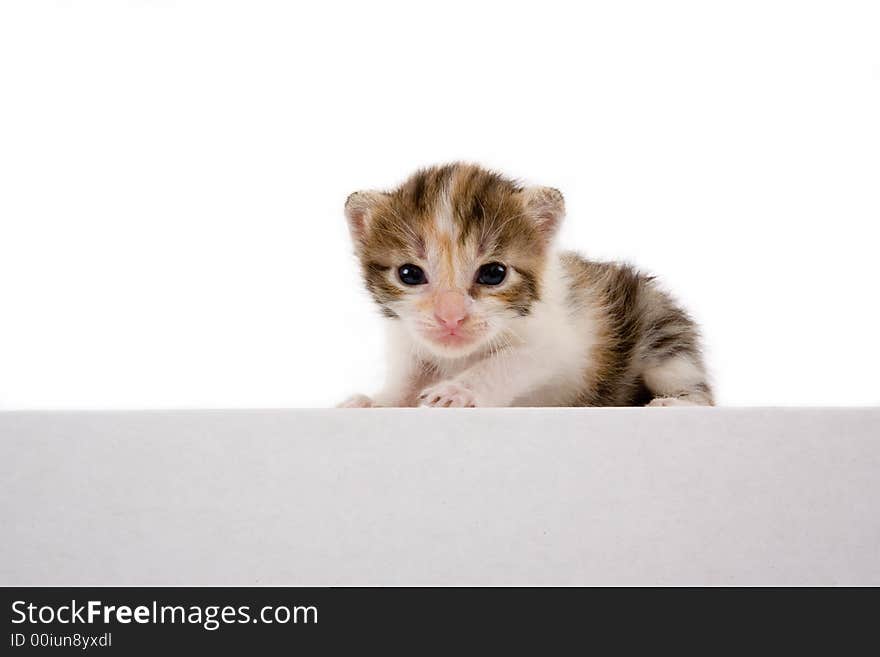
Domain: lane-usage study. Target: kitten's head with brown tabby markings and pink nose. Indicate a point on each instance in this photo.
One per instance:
(456, 253)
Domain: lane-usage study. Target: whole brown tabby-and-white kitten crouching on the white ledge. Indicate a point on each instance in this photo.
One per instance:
(483, 311)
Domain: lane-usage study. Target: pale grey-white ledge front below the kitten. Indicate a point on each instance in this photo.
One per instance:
(526, 496)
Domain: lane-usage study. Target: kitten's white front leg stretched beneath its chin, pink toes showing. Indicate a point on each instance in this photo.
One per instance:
(497, 380)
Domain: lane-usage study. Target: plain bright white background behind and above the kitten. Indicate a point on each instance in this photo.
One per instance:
(172, 177)
